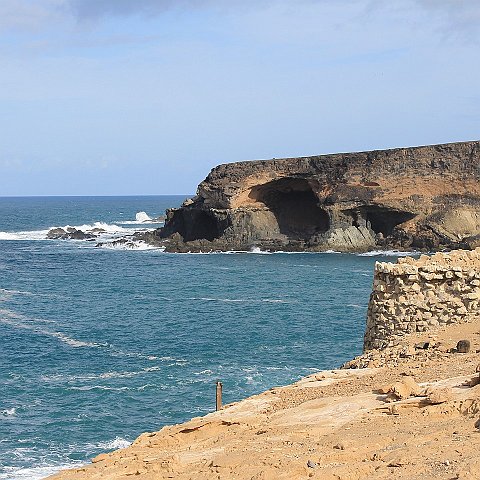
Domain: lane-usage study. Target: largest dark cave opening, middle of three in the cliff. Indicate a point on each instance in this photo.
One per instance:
(295, 207)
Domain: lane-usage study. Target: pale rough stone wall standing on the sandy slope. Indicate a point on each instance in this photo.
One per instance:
(415, 295)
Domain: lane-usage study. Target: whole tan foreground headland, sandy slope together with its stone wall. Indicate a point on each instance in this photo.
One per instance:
(407, 408)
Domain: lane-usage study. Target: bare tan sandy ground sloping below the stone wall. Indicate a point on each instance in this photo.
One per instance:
(336, 424)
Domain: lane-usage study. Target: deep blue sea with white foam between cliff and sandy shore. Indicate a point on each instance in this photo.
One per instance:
(99, 345)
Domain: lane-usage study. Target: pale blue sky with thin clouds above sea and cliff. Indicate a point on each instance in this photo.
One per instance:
(129, 97)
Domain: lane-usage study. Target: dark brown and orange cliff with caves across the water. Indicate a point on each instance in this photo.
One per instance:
(422, 198)
